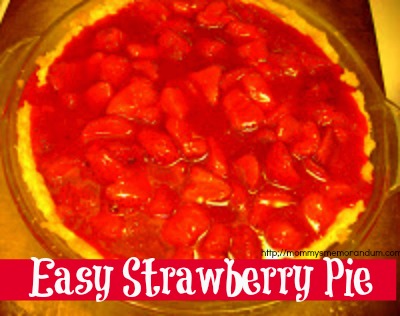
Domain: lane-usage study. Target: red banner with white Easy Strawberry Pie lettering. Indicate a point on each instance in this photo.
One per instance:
(134, 279)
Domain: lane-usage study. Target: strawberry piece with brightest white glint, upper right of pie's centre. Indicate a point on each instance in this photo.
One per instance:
(258, 90)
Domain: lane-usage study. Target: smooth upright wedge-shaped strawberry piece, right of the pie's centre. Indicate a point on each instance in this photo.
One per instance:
(280, 166)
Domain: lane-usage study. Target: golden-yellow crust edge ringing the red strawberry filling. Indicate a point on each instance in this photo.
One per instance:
(338, 232)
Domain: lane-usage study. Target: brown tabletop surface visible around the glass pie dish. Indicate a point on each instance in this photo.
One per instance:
(26, 18)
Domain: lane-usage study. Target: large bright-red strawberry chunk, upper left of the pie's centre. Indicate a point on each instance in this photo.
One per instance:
(129, 101)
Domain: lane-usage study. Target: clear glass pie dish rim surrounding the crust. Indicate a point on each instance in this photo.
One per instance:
(376, 106)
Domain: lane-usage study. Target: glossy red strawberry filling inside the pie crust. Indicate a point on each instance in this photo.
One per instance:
(181, 129)
